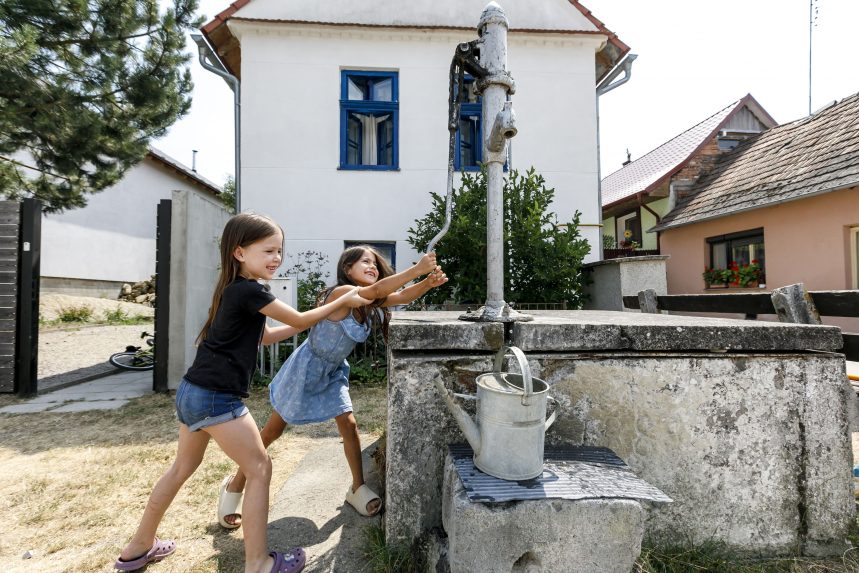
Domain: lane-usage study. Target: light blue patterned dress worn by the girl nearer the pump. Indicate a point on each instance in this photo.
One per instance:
(313, 384)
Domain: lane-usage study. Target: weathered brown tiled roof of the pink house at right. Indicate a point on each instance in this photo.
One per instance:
(814, 155)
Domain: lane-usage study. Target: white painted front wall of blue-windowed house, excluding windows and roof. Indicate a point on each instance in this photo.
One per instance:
(290, 128)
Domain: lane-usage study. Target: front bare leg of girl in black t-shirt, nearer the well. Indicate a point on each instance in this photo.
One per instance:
(241, 441)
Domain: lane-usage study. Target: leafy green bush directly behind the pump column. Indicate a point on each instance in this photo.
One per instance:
(542, 257)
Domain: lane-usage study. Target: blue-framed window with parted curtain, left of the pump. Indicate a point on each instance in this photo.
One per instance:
(369, 113)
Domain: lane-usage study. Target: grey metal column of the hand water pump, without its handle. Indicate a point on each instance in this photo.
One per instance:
(499, 125)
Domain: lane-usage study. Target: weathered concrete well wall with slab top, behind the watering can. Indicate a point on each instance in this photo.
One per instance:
(752, 444)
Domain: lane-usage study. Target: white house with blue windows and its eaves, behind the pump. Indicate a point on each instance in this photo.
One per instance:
(344, 110)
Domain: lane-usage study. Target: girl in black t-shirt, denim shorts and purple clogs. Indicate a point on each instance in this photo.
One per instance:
(209, 398)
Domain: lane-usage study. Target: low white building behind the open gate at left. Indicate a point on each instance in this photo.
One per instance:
(95, 249)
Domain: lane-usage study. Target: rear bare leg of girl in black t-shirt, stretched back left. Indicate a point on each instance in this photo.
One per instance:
(192, 446)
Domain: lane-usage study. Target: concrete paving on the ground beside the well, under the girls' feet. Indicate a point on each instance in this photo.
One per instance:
(310, 510)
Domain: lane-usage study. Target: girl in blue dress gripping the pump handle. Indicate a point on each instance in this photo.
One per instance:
(313, 384)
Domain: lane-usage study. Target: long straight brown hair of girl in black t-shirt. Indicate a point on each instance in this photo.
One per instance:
(240, 231)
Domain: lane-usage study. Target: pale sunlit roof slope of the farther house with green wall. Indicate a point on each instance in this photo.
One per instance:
(650, 170)
